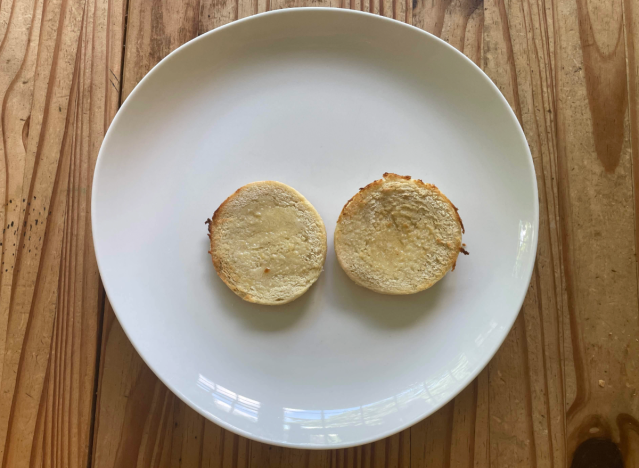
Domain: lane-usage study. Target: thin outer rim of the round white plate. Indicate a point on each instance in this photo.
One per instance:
(471, 376)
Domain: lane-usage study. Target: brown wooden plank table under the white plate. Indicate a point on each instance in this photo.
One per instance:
(561, 391)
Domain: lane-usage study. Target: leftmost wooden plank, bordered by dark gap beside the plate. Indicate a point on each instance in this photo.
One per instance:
(58, 102)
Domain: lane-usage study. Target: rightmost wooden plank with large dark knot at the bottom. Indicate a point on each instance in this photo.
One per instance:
(596, 127)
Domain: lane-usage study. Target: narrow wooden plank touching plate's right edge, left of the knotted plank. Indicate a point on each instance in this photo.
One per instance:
(527, 426)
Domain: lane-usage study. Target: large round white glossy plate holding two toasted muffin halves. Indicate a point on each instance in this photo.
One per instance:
(325, 101)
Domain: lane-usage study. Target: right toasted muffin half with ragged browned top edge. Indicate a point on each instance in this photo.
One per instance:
(398, 235)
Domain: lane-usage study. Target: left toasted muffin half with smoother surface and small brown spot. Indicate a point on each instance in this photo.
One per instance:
(268, 243)
